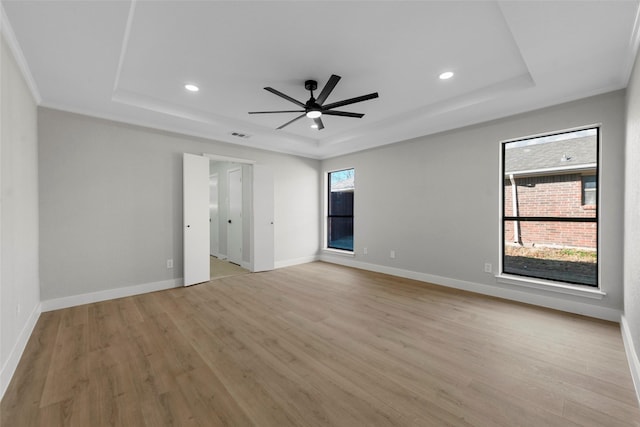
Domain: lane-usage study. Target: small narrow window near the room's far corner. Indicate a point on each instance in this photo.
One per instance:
(340, 210)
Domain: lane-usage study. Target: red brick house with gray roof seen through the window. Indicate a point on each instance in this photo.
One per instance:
(550, 180)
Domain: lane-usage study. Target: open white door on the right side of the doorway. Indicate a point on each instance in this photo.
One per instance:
(263, 247)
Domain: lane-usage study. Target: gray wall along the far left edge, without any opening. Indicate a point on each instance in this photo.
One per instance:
(19, 287)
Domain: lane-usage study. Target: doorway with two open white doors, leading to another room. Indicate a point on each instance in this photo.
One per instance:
(256, 245)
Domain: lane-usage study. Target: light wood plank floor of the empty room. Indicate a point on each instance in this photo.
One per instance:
(320, 345)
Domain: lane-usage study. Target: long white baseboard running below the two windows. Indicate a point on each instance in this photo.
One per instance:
(500, 291)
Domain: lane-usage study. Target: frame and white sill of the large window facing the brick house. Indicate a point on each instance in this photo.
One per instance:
(575, 288)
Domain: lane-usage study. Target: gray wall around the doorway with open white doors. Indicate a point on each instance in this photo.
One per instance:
(111, 203)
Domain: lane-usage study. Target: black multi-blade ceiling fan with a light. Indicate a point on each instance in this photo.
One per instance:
(314, 108)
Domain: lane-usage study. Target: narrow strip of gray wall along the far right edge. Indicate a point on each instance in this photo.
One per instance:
(632, 211)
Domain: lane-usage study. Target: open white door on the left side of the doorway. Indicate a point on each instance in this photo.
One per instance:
(196, 219)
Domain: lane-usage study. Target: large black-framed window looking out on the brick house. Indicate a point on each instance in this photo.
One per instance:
(549, 207)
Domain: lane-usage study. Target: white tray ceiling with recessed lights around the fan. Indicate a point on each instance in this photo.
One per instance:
(129, 60)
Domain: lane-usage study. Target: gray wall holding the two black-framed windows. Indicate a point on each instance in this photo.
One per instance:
(435, 200)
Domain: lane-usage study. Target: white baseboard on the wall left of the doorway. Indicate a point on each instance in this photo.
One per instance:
(74, 300)
